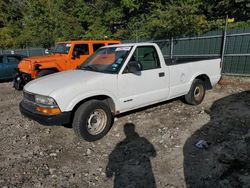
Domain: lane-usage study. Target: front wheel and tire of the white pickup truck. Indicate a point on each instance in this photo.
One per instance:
(86, 124)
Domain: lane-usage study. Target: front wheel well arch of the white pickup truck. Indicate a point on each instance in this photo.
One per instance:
(109, 101)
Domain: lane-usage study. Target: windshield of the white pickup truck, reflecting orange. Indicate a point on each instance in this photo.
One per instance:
(107, 60)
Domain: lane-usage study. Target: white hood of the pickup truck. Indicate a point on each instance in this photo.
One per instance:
(67, 81)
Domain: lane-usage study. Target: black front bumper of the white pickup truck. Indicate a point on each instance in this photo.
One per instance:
(60, 119)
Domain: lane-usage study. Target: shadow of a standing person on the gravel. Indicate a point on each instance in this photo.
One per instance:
(129, 162)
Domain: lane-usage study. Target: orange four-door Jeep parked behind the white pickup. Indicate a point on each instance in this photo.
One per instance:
(66, 56)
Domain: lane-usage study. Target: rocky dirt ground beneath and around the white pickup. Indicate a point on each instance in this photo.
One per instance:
(151, 147)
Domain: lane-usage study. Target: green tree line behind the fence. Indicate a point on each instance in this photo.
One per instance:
(43, 22)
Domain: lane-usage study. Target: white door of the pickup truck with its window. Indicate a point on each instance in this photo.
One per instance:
(149, 86)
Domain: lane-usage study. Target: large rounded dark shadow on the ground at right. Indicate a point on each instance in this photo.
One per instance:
(226, 160)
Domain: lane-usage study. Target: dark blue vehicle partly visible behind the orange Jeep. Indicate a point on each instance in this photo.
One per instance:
(8, 66)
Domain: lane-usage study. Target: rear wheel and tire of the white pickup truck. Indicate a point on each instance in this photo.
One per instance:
(196, 93)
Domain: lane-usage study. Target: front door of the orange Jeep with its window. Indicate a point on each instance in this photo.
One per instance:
(80, 53)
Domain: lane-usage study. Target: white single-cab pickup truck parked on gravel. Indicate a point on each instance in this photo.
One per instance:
(116, 79)
